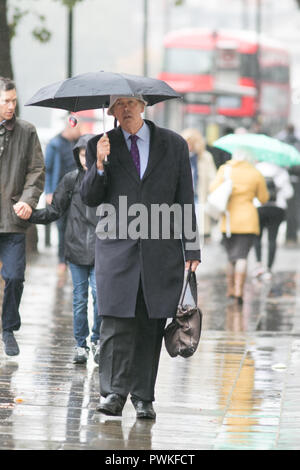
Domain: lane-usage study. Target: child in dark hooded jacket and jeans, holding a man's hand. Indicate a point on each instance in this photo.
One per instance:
(79, 245)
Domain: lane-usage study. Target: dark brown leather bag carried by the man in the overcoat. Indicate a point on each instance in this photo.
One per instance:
(182, 335)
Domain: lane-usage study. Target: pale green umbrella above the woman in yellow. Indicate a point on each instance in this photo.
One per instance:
(261, 147)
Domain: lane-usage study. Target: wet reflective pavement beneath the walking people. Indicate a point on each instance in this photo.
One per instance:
(240, 391)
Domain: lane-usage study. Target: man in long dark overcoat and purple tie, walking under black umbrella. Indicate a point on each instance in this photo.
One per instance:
(139, 263)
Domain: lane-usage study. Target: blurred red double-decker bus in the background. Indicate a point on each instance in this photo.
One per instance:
(226, 76)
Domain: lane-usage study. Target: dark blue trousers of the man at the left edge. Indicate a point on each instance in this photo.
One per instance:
(13, 258)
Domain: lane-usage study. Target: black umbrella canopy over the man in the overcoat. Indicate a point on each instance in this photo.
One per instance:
(92, 91)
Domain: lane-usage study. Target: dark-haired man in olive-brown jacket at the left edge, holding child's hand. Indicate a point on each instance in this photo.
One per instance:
(22, 177)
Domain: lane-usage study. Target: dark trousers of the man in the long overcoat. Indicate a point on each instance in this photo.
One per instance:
(129, 353)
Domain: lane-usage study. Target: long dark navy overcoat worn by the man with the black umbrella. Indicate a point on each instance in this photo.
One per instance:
(121, 263)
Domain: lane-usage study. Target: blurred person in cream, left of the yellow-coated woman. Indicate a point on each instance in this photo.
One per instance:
(203, 172)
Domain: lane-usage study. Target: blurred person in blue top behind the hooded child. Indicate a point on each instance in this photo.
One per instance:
(59, 160)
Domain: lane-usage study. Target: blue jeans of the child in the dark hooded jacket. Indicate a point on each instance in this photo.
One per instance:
(82, 278)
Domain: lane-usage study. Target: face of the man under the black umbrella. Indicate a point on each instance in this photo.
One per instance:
(128, 111)
